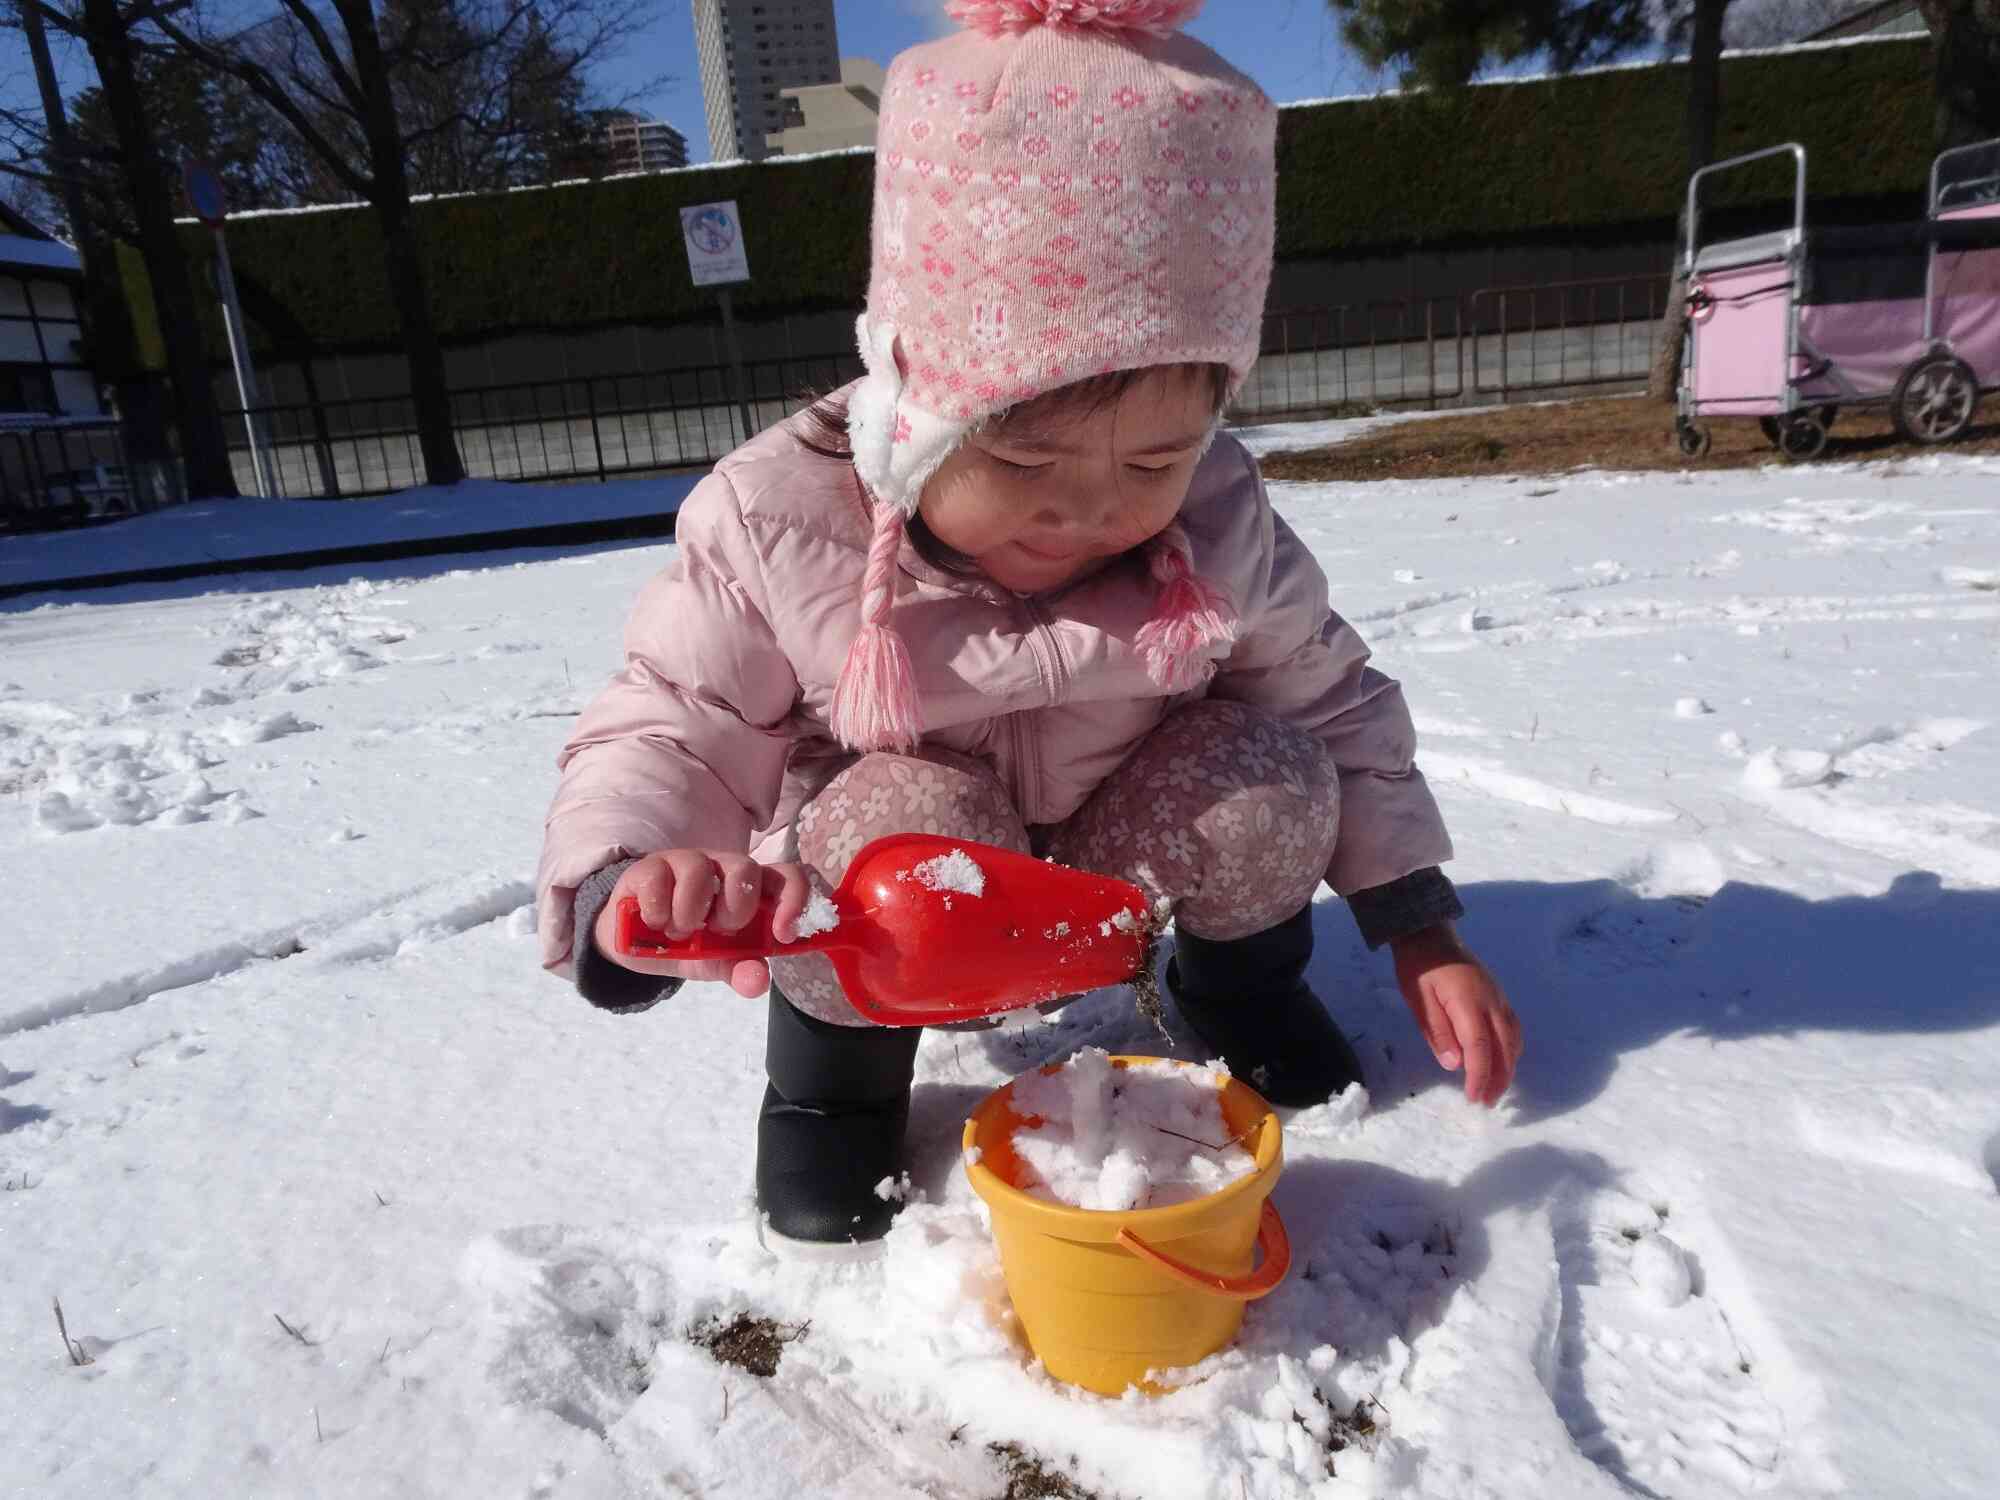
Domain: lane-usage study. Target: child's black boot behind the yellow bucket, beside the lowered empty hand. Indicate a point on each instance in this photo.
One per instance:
(1249, 1001)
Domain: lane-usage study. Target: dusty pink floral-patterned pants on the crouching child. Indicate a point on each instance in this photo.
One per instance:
(1223, 811)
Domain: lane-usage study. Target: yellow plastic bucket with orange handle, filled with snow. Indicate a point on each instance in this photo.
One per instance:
(1107, 1297)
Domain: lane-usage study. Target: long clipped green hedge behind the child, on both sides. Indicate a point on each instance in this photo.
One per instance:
(1503, 161)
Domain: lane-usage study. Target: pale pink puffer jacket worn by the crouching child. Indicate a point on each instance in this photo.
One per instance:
(717, 731)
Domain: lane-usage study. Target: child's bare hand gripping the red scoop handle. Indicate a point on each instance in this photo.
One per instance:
(685, 891)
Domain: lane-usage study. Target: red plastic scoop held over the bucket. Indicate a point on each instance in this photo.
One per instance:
(941, 929)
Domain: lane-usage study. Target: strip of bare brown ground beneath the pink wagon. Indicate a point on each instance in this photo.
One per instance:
(1625, 433)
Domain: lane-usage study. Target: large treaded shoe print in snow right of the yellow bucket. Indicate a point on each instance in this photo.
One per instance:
(1649, 1377)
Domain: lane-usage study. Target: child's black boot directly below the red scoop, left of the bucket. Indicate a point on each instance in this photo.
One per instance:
(831, 1127)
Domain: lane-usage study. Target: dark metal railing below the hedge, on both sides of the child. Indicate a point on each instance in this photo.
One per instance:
(1497, 343)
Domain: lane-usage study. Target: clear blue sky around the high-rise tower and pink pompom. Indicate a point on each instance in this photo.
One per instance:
(1291, 47)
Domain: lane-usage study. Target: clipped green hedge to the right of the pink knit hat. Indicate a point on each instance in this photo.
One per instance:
(1595, 151)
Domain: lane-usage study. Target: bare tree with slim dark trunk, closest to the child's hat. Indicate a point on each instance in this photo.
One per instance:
(347, 91)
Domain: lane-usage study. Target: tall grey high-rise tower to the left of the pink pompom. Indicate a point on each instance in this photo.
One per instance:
(751, 51)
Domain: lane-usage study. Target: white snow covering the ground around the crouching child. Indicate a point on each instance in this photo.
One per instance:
(1723, 763)
